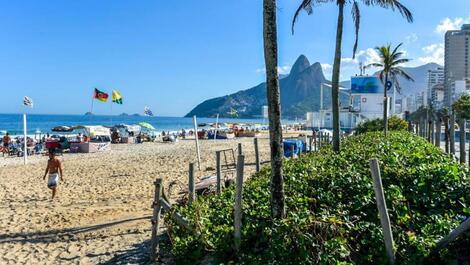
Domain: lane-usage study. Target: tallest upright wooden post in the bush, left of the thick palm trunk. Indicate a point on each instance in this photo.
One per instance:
(238, 202)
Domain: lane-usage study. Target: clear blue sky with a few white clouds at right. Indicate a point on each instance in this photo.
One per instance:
(172, 55)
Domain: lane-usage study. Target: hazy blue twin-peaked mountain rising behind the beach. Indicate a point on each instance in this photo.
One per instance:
(300, 93)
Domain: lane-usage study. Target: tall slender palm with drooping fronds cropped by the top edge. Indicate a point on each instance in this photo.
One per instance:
(308, 5)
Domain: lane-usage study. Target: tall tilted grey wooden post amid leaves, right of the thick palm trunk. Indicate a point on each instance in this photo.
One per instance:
(382, 207)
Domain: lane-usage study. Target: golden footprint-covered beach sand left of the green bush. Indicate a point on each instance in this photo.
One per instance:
(101, 213)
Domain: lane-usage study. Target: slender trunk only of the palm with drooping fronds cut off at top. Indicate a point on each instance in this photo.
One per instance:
(335, 78)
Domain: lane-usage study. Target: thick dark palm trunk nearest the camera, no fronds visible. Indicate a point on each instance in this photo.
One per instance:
(272, 86)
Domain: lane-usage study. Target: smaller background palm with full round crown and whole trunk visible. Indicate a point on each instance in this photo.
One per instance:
(390, 61)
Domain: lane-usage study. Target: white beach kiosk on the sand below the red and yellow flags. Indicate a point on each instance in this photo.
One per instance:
(98, 139)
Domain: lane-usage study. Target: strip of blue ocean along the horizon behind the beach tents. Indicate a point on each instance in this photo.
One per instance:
(13, 123)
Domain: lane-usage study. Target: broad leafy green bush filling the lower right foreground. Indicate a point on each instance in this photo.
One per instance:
(331, 213)
